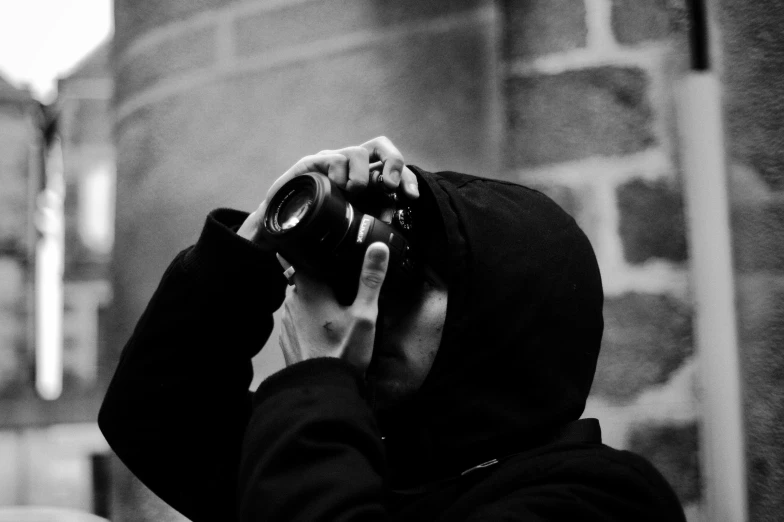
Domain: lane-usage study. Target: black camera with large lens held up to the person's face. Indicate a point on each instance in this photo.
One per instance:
(313, 225)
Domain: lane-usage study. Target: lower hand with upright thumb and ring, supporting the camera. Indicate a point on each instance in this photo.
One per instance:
(314, 324)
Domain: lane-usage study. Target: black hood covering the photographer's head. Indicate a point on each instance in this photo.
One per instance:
(522, 332)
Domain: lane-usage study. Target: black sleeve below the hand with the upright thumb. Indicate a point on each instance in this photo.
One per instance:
(312, 450)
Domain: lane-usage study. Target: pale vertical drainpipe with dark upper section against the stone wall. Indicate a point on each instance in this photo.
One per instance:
(703, 160)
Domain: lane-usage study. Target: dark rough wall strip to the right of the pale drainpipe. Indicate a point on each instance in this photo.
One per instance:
(752, 62)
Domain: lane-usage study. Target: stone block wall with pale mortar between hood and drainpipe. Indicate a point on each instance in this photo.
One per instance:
(589, 93)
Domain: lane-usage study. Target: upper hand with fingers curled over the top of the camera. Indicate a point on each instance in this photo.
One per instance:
(349, 169)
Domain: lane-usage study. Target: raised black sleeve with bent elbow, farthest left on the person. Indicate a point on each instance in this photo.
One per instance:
(177, 407)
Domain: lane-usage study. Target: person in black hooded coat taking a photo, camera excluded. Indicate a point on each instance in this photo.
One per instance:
(459, 401)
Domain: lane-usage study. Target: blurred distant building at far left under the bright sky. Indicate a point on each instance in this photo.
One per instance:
(61, 153)
